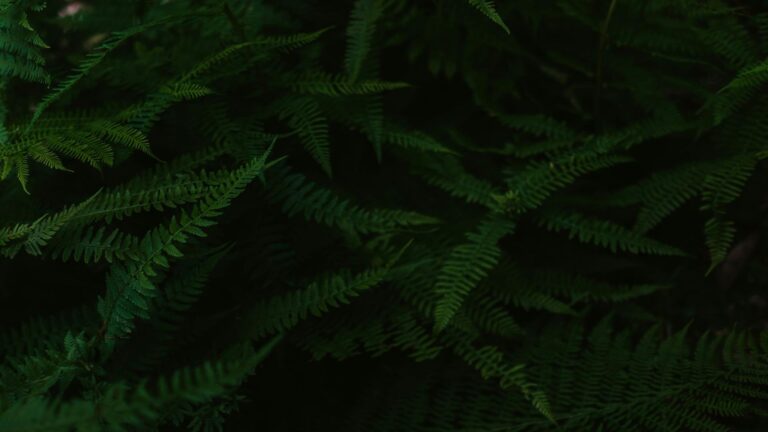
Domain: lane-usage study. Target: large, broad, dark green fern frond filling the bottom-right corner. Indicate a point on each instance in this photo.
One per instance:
(678, 387)
